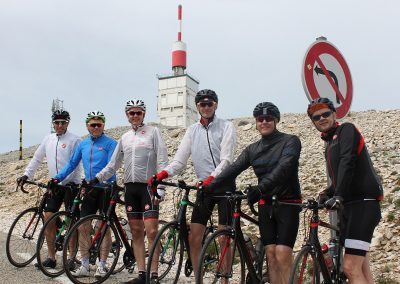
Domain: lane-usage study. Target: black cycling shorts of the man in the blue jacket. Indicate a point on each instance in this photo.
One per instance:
(97, 200)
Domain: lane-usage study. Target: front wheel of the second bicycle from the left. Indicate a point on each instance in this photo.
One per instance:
(64, 222)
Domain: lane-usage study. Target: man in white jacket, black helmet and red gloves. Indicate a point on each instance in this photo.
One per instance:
(211, 142)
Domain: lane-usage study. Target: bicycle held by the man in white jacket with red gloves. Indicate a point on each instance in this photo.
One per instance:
(171, 244)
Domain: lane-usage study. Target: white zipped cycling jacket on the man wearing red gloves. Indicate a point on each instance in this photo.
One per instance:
(221, 134)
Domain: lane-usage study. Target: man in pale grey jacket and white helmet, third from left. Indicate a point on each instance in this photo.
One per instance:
(143, 151)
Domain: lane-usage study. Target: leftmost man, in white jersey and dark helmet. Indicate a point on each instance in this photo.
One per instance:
(58, 148)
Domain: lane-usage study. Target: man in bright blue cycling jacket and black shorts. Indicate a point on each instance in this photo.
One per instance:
(94, 152)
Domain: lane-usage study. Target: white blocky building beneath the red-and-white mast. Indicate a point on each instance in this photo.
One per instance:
(176, 105)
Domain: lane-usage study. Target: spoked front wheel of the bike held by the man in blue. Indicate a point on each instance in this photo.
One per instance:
(58, 226)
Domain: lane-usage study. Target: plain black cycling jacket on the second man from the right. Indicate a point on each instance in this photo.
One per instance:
(275, 161)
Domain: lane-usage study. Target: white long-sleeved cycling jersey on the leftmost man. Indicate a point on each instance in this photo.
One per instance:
(58, 149)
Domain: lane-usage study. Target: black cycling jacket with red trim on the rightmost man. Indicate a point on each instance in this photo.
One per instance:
(349, 165)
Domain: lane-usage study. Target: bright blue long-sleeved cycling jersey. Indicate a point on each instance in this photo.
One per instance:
(94, 153)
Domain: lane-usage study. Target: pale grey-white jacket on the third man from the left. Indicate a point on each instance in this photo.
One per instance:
(143, 152)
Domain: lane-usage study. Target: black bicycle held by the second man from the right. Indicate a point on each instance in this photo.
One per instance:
(226, 253)
